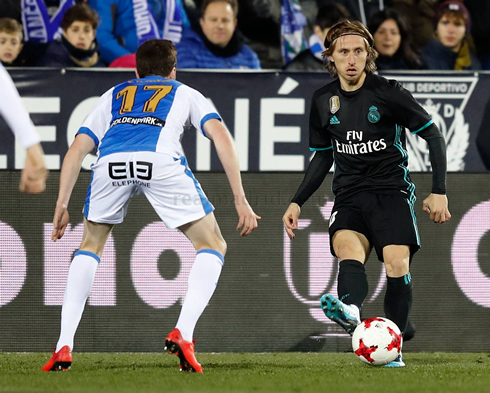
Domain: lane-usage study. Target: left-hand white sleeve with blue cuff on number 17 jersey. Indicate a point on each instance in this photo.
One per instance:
(97, 122)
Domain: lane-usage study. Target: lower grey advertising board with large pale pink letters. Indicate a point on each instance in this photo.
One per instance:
(268, 295)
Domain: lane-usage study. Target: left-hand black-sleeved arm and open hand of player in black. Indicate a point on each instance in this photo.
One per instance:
(315, 174)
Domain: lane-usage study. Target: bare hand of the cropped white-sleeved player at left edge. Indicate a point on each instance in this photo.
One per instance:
(34, 174)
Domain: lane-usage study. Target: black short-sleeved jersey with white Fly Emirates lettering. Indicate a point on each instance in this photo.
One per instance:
(366, 130)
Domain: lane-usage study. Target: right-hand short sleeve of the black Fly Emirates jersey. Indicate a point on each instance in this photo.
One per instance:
(407, 111)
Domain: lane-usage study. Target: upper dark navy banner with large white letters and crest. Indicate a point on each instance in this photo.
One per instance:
(267, 113)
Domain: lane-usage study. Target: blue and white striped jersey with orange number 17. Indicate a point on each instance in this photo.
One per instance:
(146, 114)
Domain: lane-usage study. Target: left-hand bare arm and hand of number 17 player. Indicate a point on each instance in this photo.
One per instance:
(70, 170)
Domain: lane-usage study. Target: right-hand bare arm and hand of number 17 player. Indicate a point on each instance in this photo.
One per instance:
(225, 148)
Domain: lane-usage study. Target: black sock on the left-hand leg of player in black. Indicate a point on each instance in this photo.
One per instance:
(352, 285)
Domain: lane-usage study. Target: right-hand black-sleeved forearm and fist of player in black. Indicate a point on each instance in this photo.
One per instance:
(436, 203)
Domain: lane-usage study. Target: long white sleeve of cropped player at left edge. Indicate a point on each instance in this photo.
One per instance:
(14, 112)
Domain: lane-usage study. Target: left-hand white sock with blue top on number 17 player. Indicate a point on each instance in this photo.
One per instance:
(78, 285)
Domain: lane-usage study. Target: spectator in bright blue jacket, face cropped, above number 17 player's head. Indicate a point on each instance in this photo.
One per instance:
(126, 24)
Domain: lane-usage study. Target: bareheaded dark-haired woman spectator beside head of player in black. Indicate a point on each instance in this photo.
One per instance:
(393, 42)
